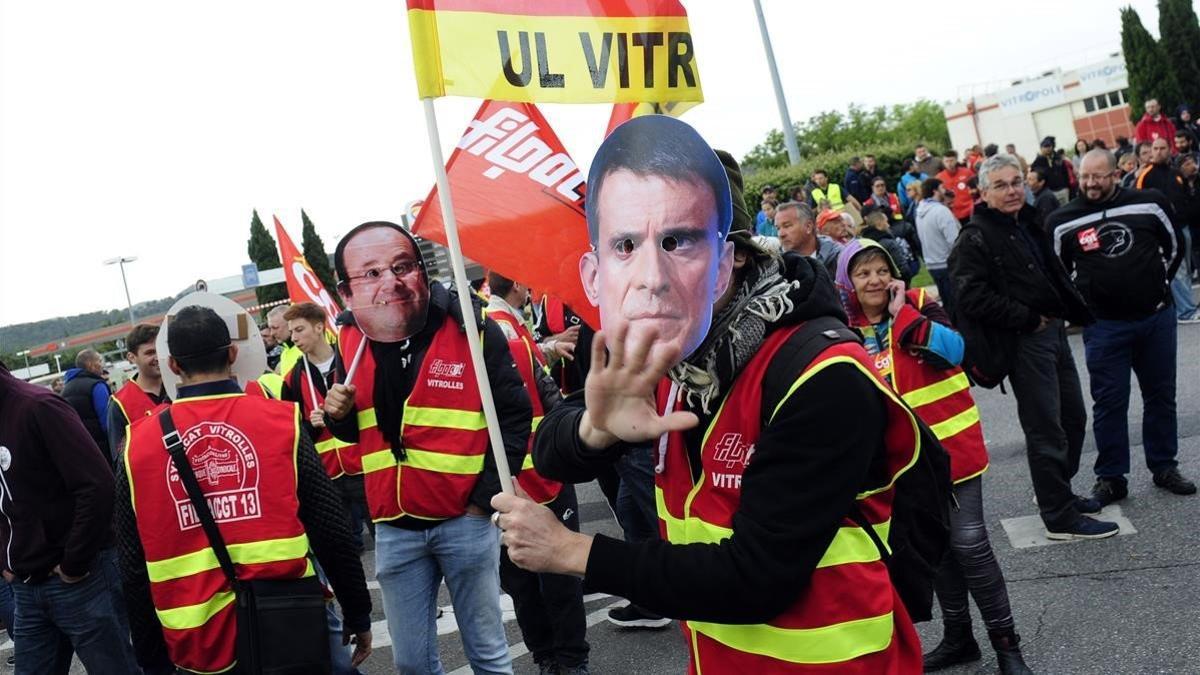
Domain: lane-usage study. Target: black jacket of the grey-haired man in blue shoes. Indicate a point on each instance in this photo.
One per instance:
(1010, 290)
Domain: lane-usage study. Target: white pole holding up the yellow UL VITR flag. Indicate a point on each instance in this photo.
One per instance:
(464, 285)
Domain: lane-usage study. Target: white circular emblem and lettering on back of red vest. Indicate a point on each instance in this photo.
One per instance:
(226, 467)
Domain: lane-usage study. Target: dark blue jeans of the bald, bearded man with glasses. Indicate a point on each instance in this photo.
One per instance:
(1148, 348)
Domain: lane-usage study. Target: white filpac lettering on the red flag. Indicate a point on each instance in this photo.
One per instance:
(508, 140)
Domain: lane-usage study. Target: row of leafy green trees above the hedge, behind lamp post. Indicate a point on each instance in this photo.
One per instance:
(857, 129)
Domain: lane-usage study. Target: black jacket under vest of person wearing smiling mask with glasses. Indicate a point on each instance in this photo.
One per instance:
(513, 407)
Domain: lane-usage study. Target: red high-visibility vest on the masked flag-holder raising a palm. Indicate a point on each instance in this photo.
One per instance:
(849, 618)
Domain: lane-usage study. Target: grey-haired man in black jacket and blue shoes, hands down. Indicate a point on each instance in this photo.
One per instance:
(1009, 280)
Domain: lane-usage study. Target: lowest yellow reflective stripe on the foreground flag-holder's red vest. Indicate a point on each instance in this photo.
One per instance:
(827, 644)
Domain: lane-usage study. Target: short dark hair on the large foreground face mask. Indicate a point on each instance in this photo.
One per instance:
(662, 147)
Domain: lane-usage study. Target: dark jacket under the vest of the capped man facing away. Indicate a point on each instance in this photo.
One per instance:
(326, 522)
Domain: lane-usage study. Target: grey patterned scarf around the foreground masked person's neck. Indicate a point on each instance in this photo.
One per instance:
(736, 334)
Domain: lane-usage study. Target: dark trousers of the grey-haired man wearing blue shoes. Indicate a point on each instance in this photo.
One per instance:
(1051, 407)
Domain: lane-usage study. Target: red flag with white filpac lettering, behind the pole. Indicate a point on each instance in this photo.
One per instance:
(519, 201)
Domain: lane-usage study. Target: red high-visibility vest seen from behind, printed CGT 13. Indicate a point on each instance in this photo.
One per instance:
(244, 453)
